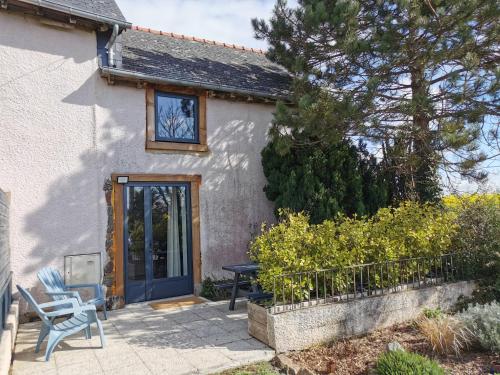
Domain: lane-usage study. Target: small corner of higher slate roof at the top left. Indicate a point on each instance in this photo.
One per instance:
(104, 8)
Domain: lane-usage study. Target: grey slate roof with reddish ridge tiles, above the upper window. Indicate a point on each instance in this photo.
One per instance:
(203, 63)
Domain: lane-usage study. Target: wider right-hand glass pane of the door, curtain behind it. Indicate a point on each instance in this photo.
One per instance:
(170, 246)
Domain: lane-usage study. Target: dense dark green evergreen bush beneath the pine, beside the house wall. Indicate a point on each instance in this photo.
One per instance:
(324, 178)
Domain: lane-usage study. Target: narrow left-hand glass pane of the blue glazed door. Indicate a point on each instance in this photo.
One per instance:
(135, 233)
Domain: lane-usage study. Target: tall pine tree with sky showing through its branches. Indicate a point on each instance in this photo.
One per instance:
(420, 79)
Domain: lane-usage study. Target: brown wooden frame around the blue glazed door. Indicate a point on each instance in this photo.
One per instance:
(194, 181)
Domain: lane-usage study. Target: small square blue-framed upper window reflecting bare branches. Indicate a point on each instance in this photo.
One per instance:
(176, 118)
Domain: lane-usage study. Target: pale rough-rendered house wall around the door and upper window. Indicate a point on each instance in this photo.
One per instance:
(65, 130)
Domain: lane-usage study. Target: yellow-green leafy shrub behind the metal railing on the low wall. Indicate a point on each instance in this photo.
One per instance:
(295, 245)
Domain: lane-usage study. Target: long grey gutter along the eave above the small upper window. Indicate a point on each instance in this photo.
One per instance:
(109, 72)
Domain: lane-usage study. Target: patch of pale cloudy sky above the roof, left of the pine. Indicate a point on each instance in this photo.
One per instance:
(220, 20)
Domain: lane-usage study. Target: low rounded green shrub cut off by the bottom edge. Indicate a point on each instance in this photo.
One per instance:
(403, 363)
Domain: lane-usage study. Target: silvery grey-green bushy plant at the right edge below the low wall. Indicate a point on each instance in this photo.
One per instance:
(484, 322)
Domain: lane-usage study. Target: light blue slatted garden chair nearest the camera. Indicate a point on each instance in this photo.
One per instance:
(82, 317)
